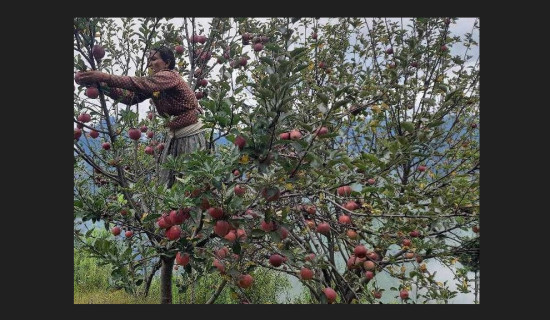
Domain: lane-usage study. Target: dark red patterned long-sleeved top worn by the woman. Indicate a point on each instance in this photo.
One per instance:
(171, 95)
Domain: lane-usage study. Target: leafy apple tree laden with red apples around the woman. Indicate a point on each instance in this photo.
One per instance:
(338, 149)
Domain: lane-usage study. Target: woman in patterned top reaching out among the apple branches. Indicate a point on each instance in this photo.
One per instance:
(171, 96)
